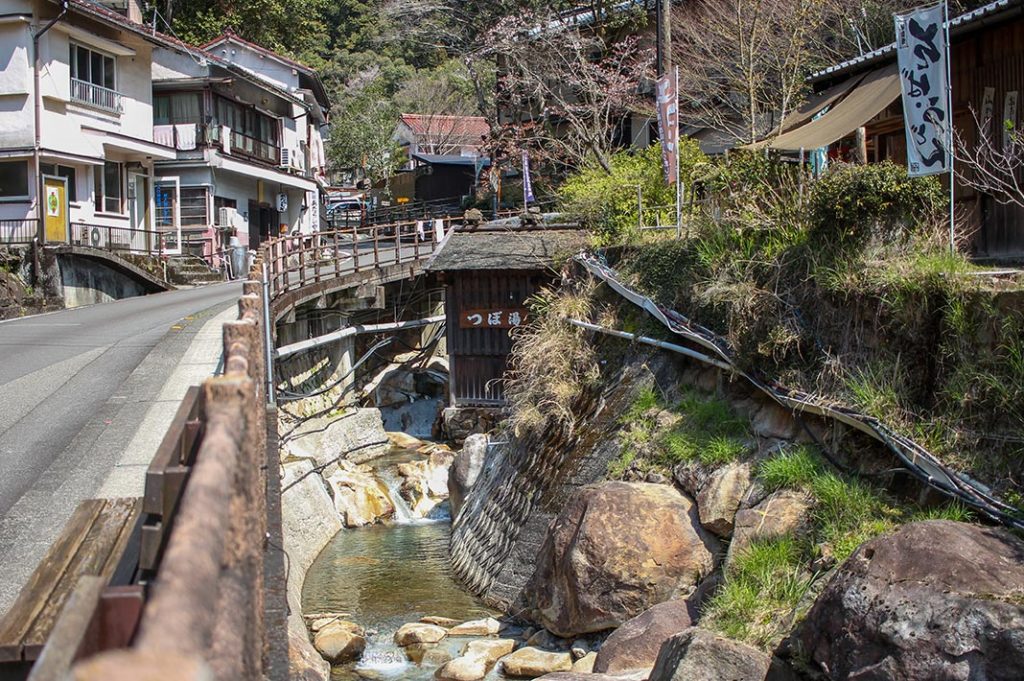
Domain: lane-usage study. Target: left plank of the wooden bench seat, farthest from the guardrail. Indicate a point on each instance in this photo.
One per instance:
(36, 594)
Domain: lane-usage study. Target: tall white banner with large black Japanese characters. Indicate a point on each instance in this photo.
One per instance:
(922, 51)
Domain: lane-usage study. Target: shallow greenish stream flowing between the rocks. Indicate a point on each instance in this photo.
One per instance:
(385, 576)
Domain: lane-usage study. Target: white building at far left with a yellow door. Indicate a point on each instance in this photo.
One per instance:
(76, 121)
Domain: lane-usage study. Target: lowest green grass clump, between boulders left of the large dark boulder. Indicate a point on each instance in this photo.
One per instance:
(762, 588)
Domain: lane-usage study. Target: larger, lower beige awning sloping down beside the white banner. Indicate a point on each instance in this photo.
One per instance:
(878, 91)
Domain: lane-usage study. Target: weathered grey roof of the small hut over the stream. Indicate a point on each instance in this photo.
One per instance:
(521, 249)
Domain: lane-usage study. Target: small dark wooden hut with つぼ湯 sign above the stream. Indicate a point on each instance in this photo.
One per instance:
(489, 275)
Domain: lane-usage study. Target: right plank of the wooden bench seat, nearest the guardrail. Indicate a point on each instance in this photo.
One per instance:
(98, 556)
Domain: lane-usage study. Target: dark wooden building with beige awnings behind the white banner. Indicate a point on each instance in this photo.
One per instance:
(988, 69)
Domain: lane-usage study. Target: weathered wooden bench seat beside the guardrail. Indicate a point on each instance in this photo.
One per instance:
(93, 545)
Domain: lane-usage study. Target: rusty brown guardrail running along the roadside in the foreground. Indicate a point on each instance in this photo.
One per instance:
(207, 506)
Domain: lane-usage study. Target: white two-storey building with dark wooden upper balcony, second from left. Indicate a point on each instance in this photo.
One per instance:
(247, 127)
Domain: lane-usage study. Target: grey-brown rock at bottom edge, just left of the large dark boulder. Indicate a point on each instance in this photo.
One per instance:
(698, 655)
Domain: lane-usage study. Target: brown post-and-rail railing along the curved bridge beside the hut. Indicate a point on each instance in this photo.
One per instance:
(300, 261)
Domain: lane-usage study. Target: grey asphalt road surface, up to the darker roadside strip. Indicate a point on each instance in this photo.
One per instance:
(58, 371)
